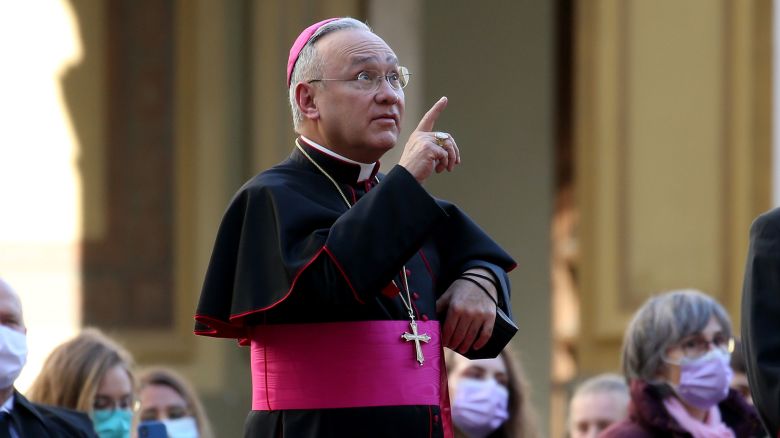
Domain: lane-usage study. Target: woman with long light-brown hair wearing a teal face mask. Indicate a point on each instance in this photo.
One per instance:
(90, 373)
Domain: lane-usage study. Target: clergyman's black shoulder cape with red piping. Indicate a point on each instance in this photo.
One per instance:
(285, 219)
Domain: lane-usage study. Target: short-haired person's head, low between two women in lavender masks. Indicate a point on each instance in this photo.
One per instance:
(596, 404)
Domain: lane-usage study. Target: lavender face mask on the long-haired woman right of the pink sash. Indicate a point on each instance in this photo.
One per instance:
(480, 406)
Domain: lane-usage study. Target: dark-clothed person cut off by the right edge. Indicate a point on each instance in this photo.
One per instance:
(761, 318)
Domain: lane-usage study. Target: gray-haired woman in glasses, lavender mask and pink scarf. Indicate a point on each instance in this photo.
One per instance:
(676, 359)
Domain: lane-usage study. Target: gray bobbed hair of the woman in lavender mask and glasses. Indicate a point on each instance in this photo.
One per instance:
(662, 322)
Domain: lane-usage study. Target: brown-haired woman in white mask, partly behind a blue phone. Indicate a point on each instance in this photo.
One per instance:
(165, 396)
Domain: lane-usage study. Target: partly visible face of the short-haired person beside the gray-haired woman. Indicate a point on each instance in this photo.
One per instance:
(590, 413)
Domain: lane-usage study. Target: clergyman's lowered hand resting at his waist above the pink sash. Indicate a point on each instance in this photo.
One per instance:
(470, 315)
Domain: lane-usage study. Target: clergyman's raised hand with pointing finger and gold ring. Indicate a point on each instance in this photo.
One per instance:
(424, 153)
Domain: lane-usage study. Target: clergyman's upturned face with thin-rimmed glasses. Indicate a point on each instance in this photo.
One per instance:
(359, 124)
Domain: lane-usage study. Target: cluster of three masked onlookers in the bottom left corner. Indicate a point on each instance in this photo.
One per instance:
(89, 386)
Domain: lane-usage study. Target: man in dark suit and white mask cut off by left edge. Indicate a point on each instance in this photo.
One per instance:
(19, 417)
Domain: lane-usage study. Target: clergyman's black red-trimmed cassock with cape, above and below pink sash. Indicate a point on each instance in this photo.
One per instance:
(289, 250)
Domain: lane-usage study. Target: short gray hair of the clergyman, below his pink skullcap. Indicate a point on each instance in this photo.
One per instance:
(310, 64)
